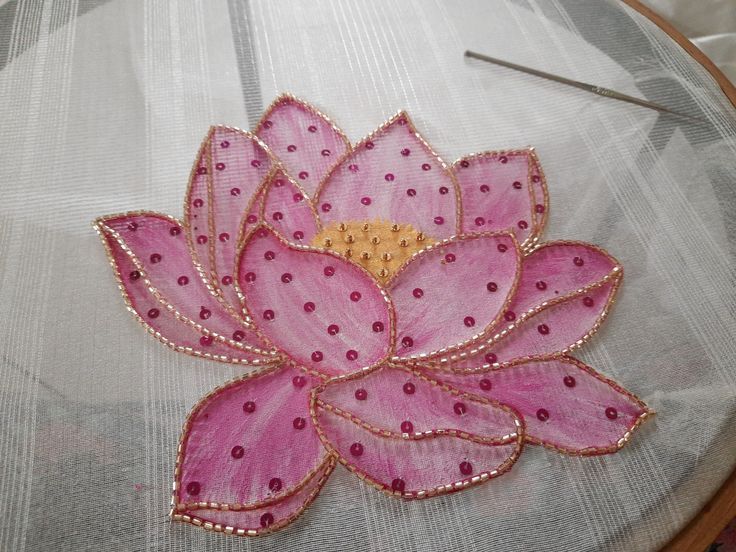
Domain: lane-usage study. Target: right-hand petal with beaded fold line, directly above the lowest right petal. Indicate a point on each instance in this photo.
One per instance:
(565, 293)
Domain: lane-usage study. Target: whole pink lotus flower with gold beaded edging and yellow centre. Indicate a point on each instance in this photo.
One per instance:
(408, 322)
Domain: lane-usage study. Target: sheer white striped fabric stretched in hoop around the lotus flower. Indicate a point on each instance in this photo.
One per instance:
(103, 106)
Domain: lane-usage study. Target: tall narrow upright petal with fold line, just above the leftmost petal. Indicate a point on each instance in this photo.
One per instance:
(230, 169)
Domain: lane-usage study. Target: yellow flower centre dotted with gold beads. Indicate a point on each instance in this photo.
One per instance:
(381, 247)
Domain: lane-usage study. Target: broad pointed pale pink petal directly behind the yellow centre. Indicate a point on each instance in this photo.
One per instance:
(392, 175)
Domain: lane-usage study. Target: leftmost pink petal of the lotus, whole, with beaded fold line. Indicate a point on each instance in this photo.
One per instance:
(149, 255)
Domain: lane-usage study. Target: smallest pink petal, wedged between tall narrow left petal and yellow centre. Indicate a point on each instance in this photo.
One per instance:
(288, 210)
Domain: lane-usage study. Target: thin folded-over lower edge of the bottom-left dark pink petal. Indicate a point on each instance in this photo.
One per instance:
(263, 520)
